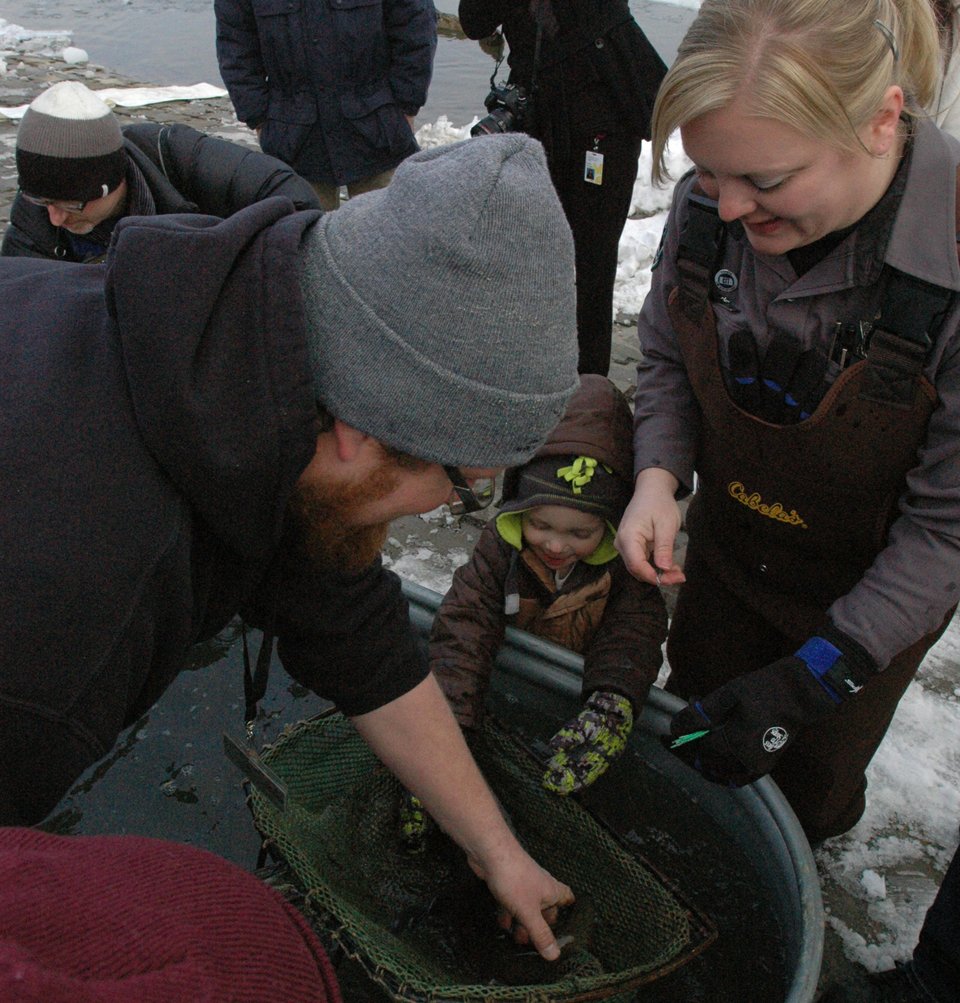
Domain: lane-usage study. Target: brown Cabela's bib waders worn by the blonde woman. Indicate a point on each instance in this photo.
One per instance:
(786, 520)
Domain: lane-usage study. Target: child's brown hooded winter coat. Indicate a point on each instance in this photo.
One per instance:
(602, 612)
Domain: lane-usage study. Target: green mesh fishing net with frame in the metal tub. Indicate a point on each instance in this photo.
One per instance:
(424, 926)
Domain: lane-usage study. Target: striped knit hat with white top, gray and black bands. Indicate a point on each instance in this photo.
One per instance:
(70, 146)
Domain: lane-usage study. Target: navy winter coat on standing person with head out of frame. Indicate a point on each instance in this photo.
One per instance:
(329, 84)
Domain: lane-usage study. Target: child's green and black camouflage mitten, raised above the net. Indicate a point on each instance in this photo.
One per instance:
(585, 747)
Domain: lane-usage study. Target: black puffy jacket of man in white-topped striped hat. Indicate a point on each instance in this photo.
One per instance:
(185, 172)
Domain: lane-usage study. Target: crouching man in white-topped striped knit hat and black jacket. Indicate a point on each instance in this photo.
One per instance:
(80, 173)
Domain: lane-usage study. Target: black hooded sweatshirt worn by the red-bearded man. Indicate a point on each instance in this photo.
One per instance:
(157, 414)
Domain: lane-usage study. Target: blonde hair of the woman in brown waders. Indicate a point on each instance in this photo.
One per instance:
(821, 67)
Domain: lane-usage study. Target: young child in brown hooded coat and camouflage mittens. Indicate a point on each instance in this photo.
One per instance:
(547, 564)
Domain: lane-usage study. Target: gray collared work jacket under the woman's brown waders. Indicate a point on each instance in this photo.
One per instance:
(914, 580)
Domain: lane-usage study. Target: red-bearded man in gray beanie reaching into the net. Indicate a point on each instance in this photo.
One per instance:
(226, 420)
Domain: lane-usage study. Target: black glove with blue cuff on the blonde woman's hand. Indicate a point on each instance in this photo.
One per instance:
(737, 735)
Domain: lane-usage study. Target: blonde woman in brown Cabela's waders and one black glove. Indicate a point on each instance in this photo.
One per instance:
(802, 358)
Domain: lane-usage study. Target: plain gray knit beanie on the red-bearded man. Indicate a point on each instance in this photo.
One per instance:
(442, 309)
